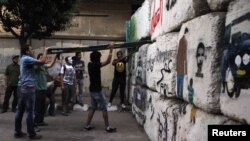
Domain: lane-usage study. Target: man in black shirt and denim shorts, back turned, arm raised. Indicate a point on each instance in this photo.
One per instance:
(97, 97)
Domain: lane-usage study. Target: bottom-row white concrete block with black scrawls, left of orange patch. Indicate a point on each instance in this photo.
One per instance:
(161, 121)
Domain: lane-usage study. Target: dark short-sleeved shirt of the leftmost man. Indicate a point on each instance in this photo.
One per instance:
(12, 71)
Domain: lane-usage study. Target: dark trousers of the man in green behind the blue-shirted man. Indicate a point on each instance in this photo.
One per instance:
(40, 106)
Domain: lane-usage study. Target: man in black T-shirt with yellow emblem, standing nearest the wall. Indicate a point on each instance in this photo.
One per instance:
(119, 79)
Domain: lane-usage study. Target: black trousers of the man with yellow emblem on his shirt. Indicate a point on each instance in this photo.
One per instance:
(118, 82)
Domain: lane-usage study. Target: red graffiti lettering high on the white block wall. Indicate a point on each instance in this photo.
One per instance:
(157, 16)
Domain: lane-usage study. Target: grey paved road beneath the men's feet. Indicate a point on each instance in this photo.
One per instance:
(70, 128)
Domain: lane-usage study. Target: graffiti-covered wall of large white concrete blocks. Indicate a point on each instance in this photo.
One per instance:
(197, 71)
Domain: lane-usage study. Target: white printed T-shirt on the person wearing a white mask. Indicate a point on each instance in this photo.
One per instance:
(68, 73)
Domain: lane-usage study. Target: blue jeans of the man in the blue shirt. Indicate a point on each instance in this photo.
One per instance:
(26, 101)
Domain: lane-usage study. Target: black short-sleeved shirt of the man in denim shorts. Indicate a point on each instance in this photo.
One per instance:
(94, 70)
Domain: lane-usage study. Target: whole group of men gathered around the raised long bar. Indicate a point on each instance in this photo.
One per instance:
(28, 84)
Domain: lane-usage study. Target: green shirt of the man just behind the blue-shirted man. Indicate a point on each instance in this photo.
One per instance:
(41, 77)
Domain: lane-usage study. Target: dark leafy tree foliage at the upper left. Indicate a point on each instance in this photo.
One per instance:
(35, 18)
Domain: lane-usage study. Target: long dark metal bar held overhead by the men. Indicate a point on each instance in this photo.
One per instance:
(58, 50)
